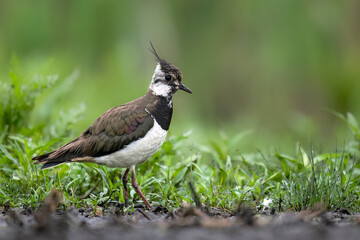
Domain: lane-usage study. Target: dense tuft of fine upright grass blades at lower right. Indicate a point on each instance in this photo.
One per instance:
(329, 179)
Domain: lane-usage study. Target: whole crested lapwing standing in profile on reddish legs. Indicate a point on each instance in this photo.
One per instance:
(129, 134)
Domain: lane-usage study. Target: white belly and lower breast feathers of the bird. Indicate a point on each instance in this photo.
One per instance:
(136, 152)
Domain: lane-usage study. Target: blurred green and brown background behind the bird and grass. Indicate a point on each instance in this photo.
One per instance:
(273, 67)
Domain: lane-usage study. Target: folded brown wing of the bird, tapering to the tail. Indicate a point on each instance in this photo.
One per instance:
(112, 131)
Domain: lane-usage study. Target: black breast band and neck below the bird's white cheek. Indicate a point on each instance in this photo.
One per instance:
(160, 108)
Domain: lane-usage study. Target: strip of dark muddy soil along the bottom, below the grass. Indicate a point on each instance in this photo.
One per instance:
(111, 222)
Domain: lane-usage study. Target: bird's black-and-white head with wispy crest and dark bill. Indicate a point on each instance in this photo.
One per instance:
(167, 78)
